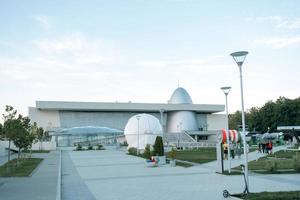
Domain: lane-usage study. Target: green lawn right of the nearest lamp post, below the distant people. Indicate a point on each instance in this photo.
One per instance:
(283, 159)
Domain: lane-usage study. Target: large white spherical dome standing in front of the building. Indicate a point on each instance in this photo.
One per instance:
(146, 129)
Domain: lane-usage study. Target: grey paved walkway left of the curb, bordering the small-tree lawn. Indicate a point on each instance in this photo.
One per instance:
(41, 185)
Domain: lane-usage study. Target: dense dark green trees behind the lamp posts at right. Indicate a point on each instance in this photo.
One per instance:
(282, 112)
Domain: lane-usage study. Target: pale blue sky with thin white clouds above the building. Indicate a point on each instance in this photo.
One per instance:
(140, 51)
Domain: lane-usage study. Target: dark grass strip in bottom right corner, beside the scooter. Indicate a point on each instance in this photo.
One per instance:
(291, 195)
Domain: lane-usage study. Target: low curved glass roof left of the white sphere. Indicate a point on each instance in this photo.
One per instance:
(90, 130)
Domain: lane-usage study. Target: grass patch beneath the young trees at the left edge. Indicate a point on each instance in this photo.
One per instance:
(25, 167)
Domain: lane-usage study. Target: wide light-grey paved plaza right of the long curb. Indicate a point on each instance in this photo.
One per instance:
(111, 174)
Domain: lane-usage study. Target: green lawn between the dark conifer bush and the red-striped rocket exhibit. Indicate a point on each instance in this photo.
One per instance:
(201, 155)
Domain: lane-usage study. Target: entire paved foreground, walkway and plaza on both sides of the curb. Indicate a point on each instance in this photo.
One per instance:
(114, 175)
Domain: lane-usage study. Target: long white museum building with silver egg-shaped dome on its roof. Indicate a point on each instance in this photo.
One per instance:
(178, 115)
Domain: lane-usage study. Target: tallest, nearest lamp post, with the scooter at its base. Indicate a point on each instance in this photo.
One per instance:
(239, 58)
